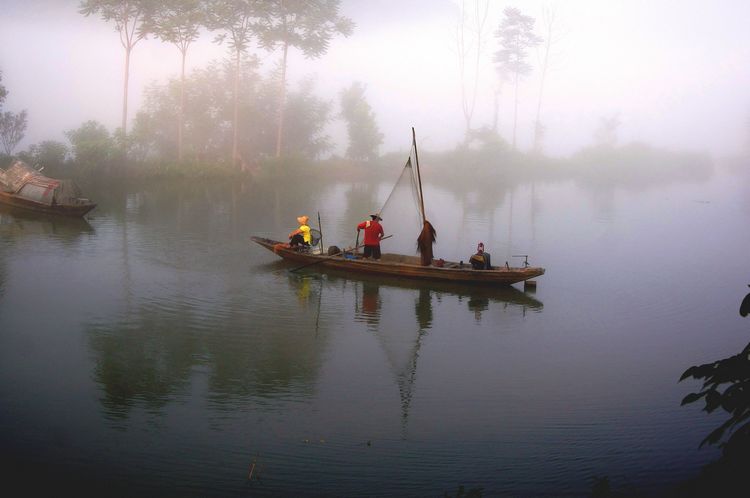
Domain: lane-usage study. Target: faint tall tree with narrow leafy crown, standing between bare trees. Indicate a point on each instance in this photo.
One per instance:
(516, 35)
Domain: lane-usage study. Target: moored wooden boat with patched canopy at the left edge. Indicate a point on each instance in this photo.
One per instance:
(24, 187)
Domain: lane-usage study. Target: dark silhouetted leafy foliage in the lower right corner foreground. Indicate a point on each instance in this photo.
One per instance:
(726, 386)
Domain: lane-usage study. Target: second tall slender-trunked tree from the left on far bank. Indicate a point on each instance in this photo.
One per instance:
(179, 22)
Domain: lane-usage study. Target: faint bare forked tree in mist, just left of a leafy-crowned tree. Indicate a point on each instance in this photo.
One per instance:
(470, 41)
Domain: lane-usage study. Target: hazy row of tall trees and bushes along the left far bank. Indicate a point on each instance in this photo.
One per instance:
(228, 111)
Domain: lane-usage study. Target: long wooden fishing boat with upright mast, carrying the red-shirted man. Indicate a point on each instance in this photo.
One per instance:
(400, 265)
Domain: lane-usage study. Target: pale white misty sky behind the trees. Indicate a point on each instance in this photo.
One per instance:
(677, 72)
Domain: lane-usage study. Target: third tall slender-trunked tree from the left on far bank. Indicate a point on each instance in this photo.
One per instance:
(239, 21)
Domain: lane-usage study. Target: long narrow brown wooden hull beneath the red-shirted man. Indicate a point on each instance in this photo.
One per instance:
(402, 266)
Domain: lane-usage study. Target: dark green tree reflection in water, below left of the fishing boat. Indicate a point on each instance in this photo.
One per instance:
(153, 352)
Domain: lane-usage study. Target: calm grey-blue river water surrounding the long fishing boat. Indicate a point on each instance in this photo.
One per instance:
(152, 350)
